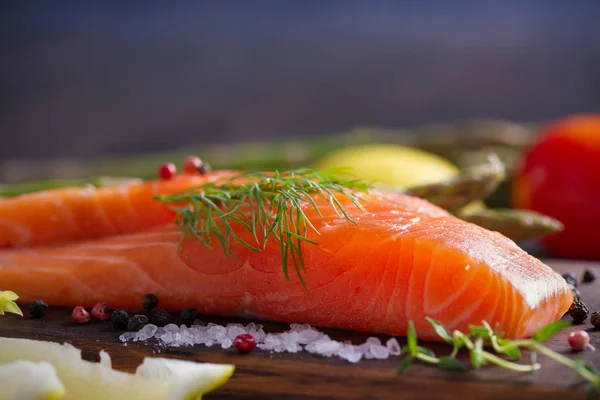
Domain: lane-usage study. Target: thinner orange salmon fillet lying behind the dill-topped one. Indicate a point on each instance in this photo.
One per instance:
(77, 213)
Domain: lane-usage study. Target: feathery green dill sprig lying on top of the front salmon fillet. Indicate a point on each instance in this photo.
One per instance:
(268, 205)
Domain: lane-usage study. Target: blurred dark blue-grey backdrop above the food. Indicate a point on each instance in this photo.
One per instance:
(93, 78)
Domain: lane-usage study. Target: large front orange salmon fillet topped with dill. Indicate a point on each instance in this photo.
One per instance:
(404, 260)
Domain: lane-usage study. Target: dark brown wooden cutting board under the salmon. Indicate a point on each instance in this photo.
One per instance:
(261, 375)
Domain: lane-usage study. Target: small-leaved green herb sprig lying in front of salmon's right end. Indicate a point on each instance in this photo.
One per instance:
(474, 342)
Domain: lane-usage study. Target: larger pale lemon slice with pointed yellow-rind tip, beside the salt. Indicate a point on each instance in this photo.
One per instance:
(155, 378)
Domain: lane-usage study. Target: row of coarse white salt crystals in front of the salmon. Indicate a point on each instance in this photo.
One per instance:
(300, 337)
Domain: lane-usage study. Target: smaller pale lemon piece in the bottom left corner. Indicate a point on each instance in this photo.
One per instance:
(27, 380)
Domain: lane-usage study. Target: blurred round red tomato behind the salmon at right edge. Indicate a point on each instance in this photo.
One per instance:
(560, 176)
